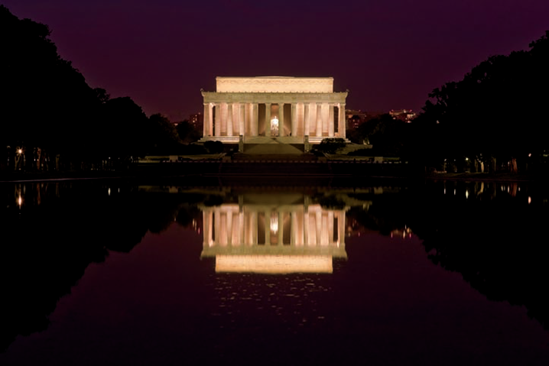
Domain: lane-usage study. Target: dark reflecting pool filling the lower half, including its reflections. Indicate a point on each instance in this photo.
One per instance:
(434, 274)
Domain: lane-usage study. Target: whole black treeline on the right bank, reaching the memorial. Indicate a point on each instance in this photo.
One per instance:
(493, 119)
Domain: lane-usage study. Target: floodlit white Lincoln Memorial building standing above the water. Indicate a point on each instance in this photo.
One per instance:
(285, 109)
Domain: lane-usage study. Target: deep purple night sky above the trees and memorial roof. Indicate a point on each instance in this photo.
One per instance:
(389, 54)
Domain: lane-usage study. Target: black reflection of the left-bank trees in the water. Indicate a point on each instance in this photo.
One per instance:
(53, 231)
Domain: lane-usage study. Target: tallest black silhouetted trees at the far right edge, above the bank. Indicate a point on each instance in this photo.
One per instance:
(494, 113)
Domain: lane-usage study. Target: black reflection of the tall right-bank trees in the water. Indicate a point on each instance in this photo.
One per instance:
(493, 235)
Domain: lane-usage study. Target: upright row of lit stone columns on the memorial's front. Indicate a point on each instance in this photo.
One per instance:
(304, 118)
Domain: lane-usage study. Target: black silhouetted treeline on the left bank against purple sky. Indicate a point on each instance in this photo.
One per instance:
(51, 119)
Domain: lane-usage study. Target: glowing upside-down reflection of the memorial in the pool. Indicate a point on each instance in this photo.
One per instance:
(273, 233)
